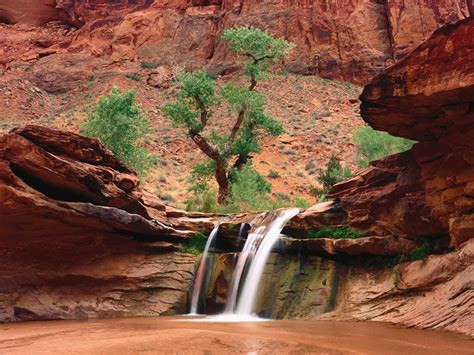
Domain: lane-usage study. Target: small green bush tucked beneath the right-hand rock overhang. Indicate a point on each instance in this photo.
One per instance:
(372, 145)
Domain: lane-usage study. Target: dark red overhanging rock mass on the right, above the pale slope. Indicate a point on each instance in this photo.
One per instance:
(426, 191)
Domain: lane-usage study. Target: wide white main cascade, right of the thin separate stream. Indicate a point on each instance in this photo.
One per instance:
(262, 237)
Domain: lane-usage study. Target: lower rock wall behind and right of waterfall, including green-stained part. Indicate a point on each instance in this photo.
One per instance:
(436, 293)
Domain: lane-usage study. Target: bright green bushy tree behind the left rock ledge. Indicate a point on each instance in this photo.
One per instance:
(120, 125)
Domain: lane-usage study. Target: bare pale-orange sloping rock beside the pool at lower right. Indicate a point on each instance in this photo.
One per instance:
(436, 293)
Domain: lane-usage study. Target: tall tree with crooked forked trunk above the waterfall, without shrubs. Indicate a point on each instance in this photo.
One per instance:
(199, 96)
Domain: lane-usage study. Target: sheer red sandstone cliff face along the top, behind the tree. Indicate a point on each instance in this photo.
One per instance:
(348, 40)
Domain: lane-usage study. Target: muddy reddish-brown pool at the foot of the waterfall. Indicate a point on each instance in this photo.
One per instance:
(178, 335)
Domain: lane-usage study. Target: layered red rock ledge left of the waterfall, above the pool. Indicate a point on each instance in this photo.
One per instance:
(79, 238)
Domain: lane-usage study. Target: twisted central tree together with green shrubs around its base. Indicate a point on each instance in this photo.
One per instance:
(228, 149)
